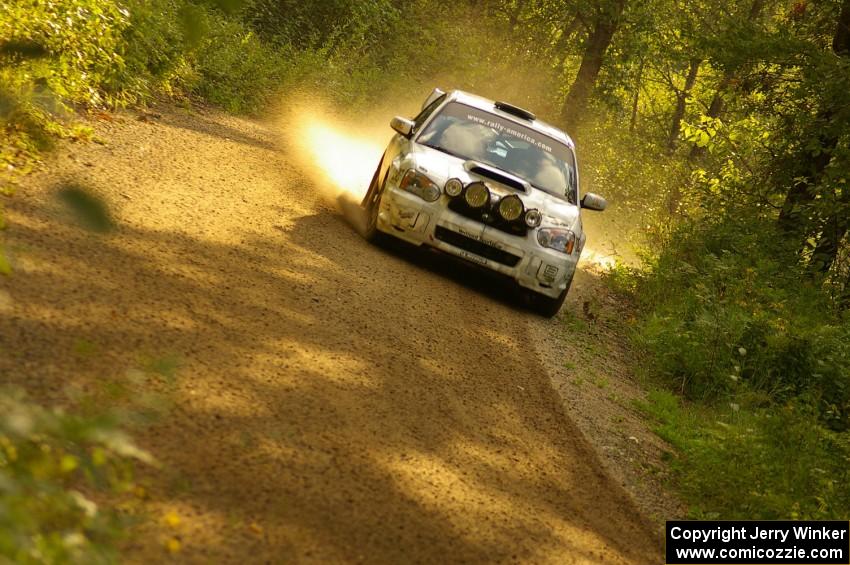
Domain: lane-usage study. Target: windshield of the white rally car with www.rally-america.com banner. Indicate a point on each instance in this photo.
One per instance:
(473, 134)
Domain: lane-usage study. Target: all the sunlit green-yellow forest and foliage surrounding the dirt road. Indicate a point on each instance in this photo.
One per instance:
(719, 130)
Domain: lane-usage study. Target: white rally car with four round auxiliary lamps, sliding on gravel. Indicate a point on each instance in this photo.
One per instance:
(489, 182)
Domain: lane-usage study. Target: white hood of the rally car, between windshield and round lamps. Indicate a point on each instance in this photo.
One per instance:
(441, 167)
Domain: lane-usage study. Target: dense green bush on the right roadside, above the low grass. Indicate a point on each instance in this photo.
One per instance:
(726, 308)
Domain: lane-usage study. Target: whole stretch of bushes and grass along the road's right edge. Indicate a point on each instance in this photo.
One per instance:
(747, 372)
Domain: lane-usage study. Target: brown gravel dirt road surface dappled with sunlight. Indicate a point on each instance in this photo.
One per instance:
(314, 399)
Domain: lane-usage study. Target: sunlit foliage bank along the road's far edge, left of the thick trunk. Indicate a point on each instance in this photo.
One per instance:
(241, 55)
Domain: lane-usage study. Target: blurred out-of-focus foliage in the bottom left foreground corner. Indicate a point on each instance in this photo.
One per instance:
(53, 465)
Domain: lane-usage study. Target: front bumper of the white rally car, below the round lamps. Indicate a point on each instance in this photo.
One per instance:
(409, 218)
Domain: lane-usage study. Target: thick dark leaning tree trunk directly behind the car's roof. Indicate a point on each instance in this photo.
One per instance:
(597, 44)
